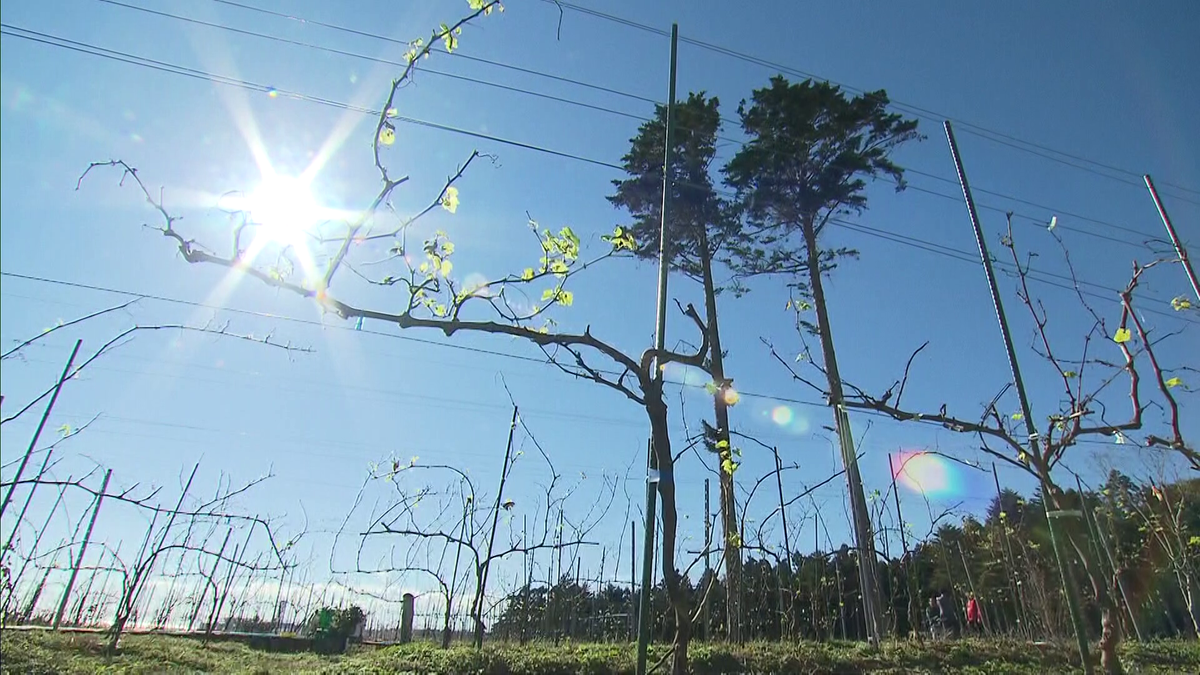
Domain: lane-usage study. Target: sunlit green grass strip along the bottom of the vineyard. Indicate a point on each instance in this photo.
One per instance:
(41, 653)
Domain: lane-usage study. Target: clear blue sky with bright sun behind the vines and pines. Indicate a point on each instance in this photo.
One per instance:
(1113, 85)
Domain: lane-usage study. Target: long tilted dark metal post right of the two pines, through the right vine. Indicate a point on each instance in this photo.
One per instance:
(1065, 574)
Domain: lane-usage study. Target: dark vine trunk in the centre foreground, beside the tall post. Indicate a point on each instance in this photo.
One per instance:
(657, 410)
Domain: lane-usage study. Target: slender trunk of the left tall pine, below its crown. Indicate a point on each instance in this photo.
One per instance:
(733, 542)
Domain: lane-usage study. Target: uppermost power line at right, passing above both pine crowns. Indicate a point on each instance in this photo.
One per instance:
(982, 132)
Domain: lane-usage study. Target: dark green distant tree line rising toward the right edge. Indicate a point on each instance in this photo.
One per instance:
(1147, 537)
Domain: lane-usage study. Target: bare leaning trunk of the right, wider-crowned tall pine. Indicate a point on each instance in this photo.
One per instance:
(863, 537)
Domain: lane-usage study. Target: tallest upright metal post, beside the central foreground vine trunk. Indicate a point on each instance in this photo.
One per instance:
(644, 611)
